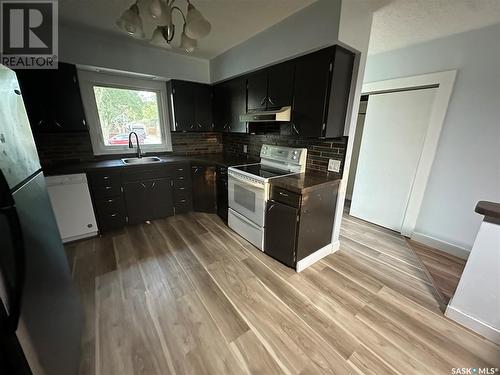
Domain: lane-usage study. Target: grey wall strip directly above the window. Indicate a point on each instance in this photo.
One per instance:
(85, 48)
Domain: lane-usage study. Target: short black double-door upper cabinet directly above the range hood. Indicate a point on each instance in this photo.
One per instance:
(271, 88)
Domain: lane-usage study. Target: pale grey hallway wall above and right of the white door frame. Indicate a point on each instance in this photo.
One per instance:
(467, 164)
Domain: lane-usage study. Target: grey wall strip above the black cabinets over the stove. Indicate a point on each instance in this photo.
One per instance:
(311, 28)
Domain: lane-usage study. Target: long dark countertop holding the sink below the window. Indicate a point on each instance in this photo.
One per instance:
(217, 159)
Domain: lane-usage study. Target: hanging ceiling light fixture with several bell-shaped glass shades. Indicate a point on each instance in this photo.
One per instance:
(195, 25)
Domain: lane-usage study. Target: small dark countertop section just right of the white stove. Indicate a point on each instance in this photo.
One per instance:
(306, 182)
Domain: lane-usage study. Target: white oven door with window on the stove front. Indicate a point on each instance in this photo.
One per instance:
(248, 199)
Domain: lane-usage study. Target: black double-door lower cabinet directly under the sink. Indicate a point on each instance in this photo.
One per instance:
(148, 199)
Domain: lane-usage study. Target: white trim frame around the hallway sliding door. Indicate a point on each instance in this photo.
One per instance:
(444, 82)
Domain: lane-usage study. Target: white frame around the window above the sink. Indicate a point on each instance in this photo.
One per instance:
(89, 79)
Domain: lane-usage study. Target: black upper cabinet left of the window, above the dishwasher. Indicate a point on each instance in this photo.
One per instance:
(52, 99)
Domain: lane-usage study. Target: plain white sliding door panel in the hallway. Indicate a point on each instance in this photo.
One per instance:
(393, 136)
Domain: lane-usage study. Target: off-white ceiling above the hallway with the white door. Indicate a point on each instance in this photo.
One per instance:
(406, 22)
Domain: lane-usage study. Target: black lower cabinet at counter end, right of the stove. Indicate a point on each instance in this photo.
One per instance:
(297, 225)
